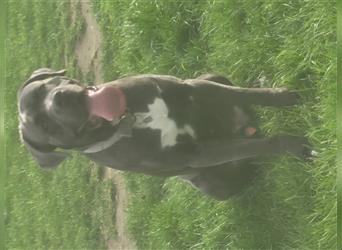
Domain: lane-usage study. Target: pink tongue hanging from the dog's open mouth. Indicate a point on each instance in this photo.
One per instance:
(108, 102)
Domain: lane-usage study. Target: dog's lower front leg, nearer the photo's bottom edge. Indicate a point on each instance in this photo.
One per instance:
(213, 153)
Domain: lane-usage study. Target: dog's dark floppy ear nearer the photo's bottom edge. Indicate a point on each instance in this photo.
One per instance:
(46, 156)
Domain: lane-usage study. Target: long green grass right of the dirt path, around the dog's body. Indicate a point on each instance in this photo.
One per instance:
(290, 43)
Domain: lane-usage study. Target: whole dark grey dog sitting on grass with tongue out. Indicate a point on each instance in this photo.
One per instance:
(202, 130)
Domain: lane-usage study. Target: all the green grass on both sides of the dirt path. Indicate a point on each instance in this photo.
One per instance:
(290, 43)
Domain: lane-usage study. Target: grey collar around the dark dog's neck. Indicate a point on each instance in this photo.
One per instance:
(124, 130)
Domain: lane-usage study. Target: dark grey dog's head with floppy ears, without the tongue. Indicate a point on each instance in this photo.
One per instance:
(54, 113)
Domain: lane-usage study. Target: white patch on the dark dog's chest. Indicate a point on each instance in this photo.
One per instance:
(157, 117)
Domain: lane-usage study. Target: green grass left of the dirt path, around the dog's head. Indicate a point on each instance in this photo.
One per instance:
(65, 208)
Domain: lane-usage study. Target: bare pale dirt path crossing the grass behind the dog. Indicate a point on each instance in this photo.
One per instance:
(88, 55)
